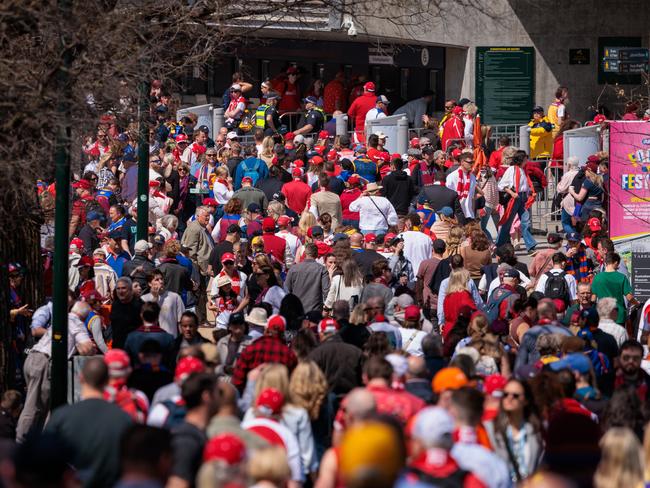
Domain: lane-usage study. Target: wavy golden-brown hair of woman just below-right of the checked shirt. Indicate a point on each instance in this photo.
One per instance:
(308, 388)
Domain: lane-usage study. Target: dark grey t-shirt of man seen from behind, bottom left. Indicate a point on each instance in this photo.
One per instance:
(93, 429)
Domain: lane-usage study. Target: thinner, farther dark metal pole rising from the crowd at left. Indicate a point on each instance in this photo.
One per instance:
(143, 163)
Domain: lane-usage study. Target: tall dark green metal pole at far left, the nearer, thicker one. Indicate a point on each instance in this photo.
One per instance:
(59, 367)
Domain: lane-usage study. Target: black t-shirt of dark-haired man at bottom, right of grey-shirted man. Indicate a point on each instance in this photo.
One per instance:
(187, 448)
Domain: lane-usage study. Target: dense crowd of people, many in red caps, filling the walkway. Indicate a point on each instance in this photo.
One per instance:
(310, 310)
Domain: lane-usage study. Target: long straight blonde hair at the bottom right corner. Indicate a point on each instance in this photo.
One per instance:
(620, 462)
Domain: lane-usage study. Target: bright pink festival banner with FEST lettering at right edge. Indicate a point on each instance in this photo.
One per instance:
(629, 171)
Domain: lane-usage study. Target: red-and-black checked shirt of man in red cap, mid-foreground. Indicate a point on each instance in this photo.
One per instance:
(266, 349)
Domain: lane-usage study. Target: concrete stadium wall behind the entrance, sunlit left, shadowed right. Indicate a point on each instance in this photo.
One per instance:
(552, 27)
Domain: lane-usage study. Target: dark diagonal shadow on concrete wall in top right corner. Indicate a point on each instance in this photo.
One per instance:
(557, 26)
